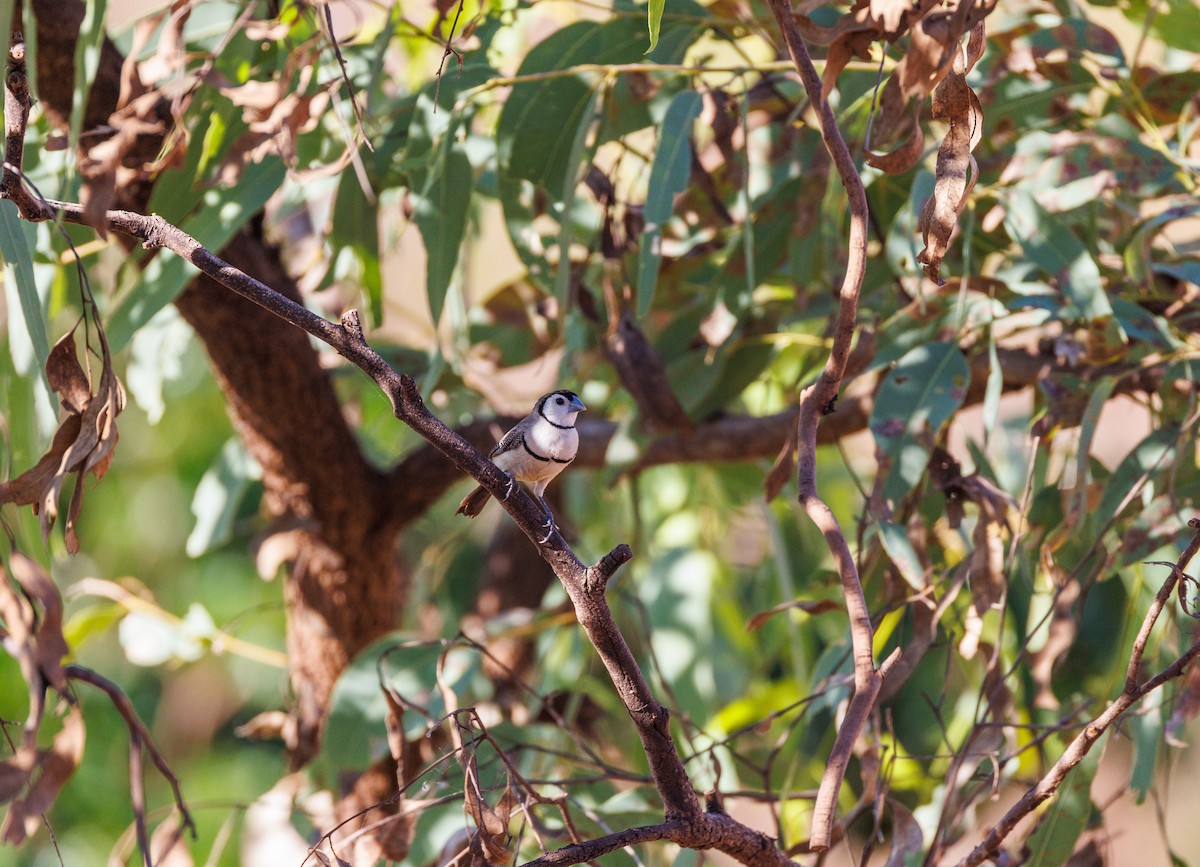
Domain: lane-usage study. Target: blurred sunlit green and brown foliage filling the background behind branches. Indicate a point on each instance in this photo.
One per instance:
(508, 213)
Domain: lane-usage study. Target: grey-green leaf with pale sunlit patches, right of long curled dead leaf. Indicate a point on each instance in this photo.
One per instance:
(1048, 242)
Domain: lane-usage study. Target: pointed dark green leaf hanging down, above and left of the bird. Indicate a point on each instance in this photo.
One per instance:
(441, 214)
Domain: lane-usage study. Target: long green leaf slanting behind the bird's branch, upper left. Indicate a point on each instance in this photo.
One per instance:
(221, 216)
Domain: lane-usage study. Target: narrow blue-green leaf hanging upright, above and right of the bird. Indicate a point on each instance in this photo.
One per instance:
(669, 178)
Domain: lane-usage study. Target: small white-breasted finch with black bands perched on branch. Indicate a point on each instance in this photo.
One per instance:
(537, 450)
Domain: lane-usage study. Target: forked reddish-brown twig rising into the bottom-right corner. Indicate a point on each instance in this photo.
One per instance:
(1087, 739)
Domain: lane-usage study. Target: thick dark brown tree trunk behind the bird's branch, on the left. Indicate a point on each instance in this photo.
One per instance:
(345, 585)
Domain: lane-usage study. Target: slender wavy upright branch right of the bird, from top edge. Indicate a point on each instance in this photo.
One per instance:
(814, 402)
